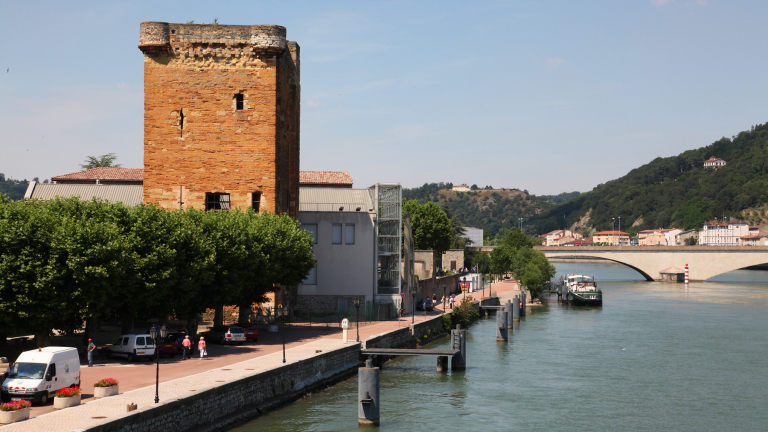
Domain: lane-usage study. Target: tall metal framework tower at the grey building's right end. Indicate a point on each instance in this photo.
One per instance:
(388, 202)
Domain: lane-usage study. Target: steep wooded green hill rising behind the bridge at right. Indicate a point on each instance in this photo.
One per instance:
(675, 191)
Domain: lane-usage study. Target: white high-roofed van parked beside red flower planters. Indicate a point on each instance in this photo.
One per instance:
(38, 374)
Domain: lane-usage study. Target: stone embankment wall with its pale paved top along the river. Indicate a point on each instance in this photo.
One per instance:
(221, 398)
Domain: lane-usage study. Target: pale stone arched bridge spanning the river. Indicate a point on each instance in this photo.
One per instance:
(703, 262)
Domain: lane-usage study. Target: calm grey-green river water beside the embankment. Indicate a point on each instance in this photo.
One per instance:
(692, 360)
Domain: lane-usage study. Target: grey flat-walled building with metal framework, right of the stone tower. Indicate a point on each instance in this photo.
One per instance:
(358, 243)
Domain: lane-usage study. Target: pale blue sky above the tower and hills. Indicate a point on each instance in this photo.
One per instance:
(540, 95)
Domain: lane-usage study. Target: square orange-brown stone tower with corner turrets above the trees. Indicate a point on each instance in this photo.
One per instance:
(221, 117)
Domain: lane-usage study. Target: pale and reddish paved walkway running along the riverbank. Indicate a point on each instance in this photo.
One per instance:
(137, 380)
